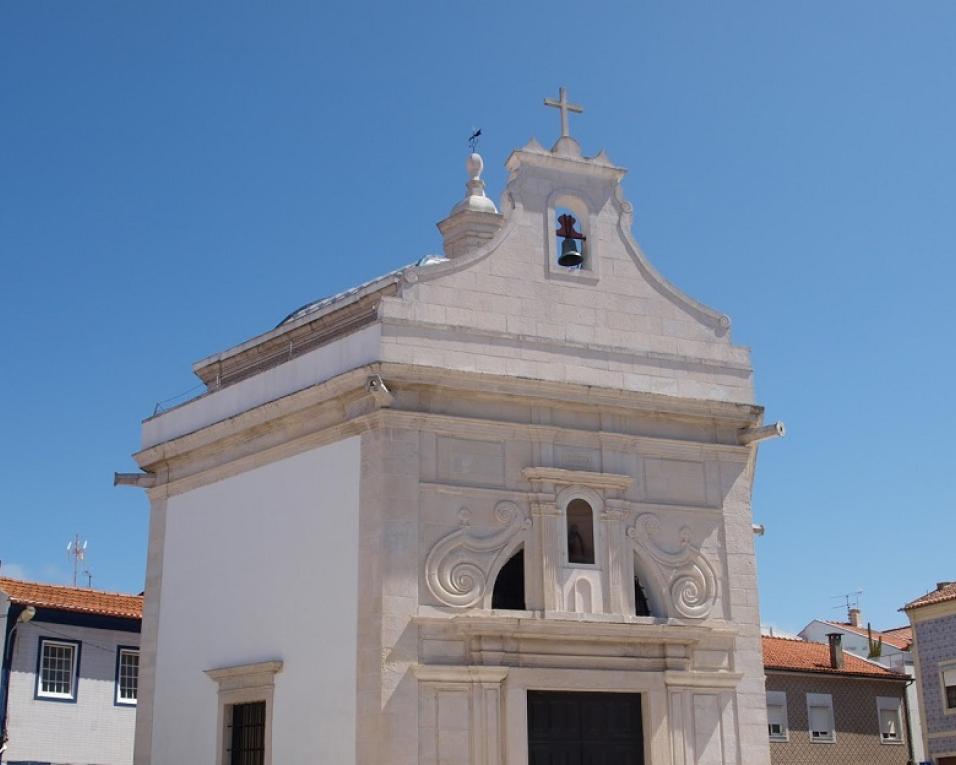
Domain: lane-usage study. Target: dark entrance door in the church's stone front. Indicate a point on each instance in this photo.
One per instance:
(584, 728)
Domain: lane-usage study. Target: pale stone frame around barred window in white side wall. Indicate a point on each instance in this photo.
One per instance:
(243, 684)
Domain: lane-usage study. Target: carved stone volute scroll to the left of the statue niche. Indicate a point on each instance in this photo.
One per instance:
(458, 568)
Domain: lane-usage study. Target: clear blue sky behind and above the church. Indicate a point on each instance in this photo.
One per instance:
(176, 177)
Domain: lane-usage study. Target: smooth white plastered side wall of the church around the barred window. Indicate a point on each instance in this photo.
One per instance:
(282, 584)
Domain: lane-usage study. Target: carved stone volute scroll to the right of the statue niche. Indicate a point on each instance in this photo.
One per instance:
(688, 579)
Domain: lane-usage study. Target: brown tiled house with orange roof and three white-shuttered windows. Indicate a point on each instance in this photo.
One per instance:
(827, 707)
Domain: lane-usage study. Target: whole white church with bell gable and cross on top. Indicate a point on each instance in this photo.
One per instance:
(528, 467)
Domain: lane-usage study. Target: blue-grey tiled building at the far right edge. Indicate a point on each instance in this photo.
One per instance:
(933, 618)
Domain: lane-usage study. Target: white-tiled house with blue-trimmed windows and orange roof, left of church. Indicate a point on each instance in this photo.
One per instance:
(68, 688)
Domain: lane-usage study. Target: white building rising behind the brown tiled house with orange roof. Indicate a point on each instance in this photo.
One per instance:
(891, 648)
